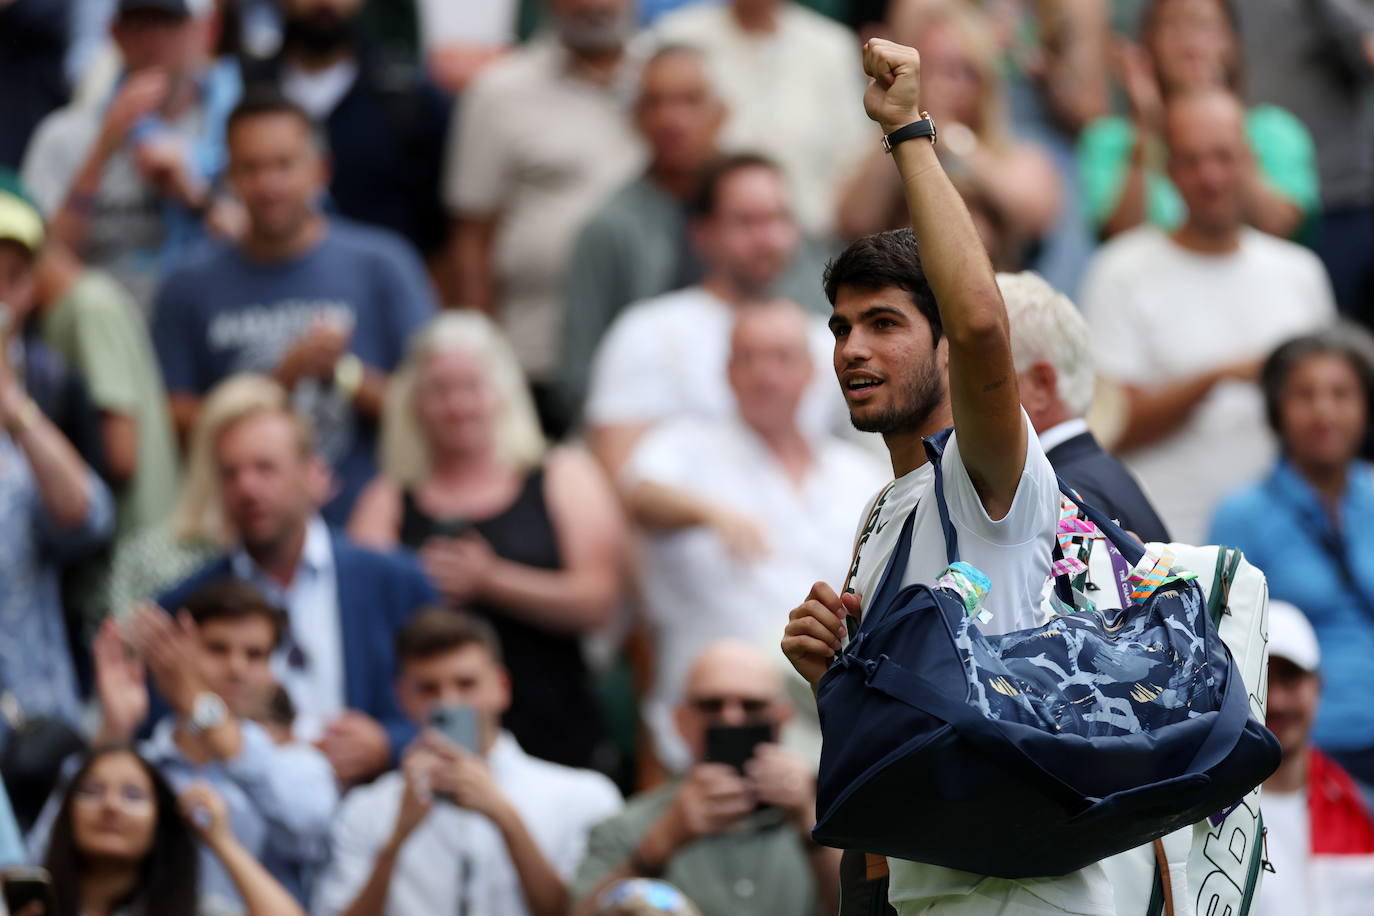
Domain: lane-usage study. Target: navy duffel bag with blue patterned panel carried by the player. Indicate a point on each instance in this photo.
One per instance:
(1034, 753)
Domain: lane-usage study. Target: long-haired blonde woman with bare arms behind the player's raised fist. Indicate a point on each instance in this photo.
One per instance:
(1012, 186)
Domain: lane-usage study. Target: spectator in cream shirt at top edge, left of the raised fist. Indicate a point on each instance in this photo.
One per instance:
(789, 80)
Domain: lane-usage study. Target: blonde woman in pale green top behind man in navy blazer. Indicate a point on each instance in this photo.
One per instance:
(196, 532)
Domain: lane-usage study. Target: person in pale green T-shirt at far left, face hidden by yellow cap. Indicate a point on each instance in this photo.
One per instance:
(97, 328)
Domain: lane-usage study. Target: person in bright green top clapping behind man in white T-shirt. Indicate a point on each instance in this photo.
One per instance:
(1191, 46)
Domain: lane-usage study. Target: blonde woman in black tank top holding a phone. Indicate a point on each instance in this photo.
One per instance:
(505, 528)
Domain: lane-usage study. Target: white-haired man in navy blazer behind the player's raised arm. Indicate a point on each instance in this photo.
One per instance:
(1052, 347)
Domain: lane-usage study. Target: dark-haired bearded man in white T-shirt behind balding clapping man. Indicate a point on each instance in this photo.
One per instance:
(666, 358)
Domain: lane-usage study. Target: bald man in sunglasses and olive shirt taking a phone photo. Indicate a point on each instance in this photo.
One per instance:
(736, 840)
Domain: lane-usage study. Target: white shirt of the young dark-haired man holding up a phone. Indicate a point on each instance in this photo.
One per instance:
(457, 860)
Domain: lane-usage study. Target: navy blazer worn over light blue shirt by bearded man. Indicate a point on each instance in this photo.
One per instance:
(379, 593)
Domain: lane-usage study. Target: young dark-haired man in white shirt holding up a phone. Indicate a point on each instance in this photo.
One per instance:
(477, 830)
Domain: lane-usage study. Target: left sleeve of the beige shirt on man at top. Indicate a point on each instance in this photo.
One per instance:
(480, 167)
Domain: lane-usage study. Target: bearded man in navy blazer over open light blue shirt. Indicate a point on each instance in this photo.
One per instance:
(344, 605)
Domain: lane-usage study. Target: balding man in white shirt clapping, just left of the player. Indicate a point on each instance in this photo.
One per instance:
(748, 503)
